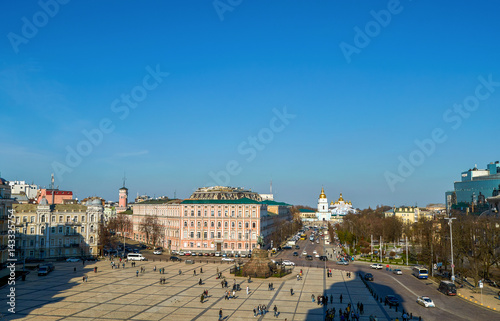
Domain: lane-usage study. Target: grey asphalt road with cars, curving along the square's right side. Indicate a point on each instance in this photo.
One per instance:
(405, 287)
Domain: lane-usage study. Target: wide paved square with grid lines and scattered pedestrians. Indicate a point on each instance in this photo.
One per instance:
(121, 294)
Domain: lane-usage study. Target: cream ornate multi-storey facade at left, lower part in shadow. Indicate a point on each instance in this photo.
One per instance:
(55, 231)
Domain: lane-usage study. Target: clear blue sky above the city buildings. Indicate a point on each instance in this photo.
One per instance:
(232, 68)
